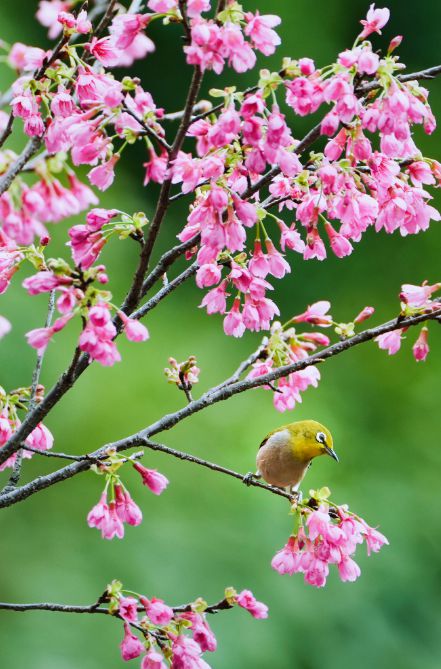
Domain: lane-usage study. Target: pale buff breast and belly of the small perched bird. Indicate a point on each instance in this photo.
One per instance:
(277, 463)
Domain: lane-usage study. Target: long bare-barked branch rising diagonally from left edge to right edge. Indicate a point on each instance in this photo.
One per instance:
(217, 394)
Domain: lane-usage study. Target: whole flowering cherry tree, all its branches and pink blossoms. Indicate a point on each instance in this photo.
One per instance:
(257, 193)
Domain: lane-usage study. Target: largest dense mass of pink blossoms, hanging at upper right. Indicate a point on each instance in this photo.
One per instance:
(351, 181)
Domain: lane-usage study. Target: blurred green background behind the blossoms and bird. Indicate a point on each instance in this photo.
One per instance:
(208, 531)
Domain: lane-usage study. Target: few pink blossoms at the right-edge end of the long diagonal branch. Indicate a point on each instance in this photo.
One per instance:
(414, 300)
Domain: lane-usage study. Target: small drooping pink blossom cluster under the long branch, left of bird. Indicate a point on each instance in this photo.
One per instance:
(116, 506)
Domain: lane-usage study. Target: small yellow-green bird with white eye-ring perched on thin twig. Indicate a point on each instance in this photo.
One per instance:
(286, 453)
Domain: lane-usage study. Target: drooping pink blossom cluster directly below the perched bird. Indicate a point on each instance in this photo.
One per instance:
(327, 535)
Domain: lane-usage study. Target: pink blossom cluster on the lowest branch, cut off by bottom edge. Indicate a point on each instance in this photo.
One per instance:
(176, 637)
